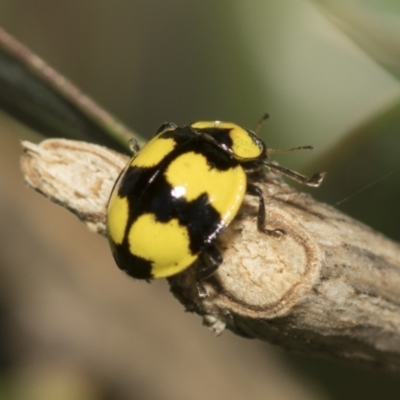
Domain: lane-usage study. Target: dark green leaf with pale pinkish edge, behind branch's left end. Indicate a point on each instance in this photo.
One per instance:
(40, 97)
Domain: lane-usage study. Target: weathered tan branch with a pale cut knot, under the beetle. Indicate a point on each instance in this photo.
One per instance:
(329, 286)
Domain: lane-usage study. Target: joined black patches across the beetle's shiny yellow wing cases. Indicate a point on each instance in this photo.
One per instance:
(148, 191)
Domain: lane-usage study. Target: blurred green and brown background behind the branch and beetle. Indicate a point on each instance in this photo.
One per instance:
(74, 327)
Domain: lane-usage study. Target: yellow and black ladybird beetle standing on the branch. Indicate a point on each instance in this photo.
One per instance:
(180, 191)
